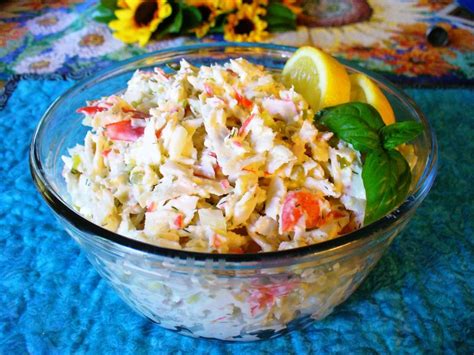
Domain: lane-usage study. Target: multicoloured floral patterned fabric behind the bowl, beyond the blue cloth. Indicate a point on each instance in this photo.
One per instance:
(59, 39)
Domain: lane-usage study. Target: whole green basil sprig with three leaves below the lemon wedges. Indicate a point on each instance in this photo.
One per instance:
(386, 174)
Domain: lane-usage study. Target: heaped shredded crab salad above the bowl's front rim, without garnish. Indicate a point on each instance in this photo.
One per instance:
(215, 159)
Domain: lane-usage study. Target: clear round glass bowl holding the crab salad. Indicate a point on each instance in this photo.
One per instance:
(222, 296)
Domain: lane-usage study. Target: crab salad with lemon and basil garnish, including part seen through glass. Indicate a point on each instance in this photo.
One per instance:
(235, 159)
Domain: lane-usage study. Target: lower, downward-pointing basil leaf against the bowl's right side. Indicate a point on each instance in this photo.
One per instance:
(386, 177)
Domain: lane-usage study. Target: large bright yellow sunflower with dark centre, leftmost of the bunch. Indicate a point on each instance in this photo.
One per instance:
(138, 19)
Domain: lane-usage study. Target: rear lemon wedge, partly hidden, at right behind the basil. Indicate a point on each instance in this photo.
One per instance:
(365, 90)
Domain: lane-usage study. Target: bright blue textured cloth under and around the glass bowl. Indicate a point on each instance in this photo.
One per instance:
(419, 298)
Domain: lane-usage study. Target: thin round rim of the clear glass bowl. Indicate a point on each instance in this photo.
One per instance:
(63, 209)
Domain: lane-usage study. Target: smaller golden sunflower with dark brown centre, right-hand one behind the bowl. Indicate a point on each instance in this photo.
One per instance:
(246, 25)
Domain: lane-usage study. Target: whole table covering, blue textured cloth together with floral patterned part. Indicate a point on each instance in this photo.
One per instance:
(419, 298)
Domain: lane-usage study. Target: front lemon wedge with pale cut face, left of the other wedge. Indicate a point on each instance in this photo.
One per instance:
(318, 77)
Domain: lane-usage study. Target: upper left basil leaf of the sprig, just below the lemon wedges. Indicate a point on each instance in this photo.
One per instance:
(354, 122)
